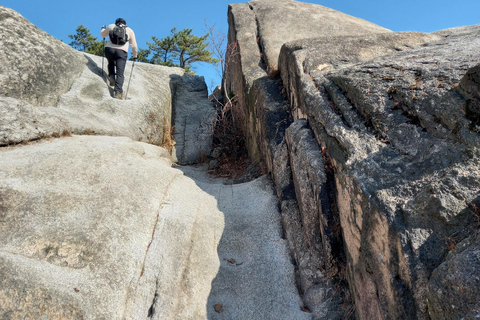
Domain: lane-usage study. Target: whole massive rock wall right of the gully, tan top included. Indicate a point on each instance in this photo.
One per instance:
(380, 156)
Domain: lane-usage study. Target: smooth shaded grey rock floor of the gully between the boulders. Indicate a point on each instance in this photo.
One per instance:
(256, 277)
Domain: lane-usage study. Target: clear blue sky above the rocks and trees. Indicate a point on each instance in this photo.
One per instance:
(156, 18)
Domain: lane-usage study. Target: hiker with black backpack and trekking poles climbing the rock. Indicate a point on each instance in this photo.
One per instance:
(116, 52)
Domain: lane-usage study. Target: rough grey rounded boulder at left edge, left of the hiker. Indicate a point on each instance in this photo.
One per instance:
(40, 67)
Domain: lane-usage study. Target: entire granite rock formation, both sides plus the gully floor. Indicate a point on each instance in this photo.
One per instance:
(369, 207)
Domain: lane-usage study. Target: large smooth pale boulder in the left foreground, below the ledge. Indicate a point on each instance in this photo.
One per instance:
(79, 217)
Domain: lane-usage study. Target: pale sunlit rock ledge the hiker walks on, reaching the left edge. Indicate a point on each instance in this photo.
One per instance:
(88, 107)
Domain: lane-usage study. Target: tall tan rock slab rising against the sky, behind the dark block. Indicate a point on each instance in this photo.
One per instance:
(256, 34)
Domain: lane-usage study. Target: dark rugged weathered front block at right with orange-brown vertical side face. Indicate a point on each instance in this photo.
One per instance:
(396, 130)
